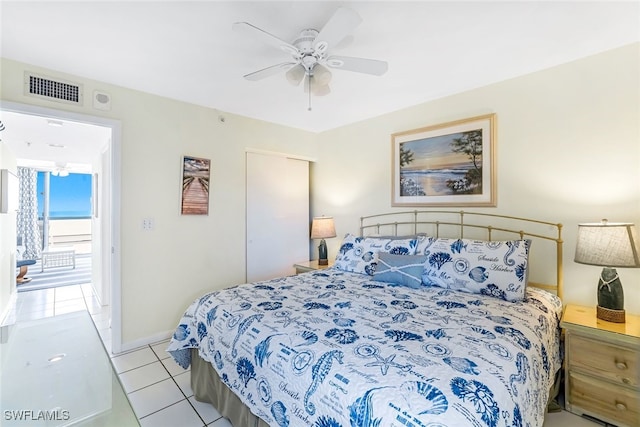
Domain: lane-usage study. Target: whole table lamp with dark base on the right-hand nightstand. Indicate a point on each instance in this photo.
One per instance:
(608, 245)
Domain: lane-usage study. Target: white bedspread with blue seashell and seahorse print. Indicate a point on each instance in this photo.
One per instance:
(334, 348)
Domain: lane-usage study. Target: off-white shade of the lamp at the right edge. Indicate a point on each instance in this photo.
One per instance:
(608, 245)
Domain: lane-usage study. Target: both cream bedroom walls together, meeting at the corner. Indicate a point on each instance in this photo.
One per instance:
(568, 151)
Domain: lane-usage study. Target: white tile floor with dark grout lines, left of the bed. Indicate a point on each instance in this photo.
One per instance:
(159, 390)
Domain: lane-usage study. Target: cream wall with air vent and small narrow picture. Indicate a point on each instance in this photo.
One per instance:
(164, 270)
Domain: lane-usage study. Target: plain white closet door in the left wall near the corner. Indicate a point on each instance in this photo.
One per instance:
(277, 215)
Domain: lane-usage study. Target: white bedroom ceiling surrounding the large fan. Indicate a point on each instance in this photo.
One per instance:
(188, 51)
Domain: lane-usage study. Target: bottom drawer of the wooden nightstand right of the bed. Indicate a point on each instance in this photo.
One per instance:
(620, 404)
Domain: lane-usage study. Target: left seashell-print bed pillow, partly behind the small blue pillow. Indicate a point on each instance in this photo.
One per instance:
(357, 254)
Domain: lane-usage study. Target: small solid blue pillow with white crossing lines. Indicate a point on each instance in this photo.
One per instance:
(404, 270)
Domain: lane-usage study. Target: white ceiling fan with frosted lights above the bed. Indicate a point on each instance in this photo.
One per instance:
(310, 59)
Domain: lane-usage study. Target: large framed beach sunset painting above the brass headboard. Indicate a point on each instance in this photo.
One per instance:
(450, 164)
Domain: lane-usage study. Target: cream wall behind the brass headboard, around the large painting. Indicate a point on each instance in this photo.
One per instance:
(568, 151)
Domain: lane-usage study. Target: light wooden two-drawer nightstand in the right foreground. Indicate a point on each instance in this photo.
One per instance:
(602, 366)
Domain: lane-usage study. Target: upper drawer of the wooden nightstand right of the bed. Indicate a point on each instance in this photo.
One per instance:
(614, 363)
